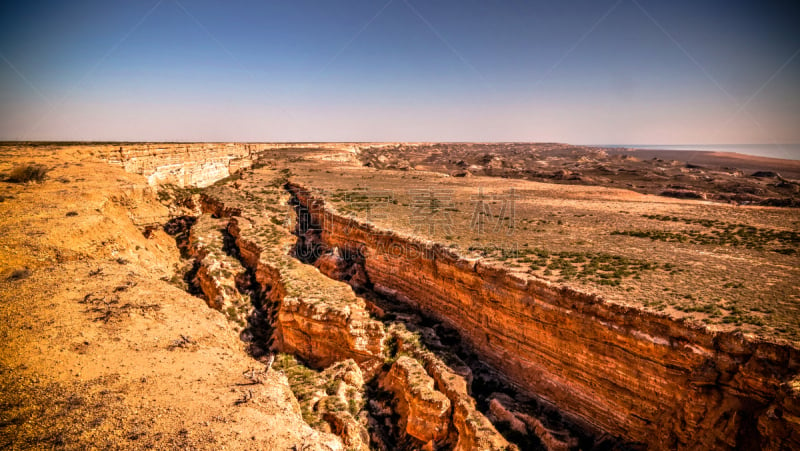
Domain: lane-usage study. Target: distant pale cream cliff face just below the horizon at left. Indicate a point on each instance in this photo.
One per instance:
(183, 165)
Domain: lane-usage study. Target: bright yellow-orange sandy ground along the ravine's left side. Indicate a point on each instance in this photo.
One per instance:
(98, 351)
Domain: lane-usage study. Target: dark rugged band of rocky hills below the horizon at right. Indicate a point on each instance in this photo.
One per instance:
(685, 174)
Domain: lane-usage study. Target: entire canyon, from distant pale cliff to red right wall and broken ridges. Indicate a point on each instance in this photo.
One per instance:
(386, 339)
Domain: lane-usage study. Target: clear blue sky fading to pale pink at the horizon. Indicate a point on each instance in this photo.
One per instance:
(576, 71)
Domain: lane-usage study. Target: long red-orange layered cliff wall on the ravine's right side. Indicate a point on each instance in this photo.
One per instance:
(639, 376)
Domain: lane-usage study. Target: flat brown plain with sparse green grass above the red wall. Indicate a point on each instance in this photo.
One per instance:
(580, 252)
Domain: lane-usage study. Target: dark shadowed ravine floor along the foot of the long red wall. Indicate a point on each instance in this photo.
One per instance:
(489, 389)
